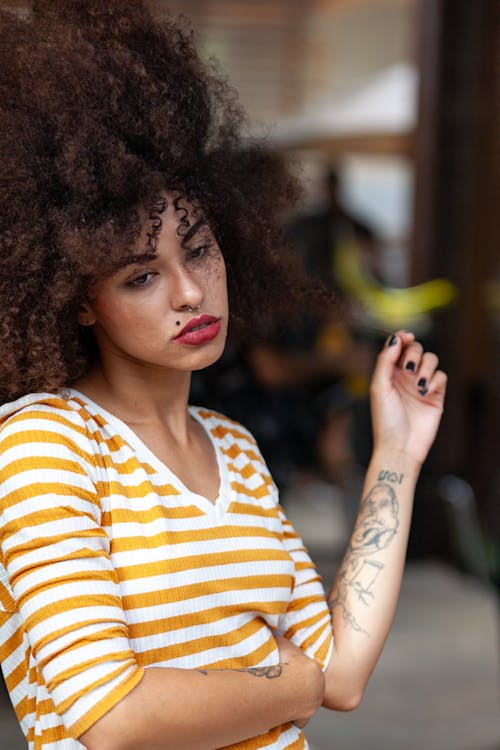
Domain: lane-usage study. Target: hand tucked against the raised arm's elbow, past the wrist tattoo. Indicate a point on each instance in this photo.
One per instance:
(310, 679)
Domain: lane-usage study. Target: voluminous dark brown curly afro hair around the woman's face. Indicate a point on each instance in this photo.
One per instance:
(103, 107)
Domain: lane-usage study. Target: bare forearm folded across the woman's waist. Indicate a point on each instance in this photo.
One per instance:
(204, 709)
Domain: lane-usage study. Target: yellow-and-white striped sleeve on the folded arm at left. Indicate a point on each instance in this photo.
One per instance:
(56, 569)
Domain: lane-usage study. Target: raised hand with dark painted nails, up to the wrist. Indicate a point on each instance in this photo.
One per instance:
(407, 396)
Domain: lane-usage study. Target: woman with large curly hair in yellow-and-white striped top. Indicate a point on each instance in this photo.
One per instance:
(152, 592)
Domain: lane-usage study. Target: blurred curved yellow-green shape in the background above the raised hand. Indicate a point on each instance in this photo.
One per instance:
(391, 307)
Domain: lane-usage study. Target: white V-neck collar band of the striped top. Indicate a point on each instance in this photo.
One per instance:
(146, 455)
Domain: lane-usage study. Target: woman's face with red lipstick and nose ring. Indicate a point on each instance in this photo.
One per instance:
(165, 309)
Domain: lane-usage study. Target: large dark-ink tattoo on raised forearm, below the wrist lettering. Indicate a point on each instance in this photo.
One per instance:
(375, 528)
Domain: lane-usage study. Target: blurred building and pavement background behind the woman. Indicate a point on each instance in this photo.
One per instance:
(389, 110)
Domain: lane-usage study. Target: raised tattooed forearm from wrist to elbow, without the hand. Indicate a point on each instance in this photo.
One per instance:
(365, 591)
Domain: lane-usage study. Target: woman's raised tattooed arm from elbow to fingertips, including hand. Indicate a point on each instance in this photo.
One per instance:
(407, 395)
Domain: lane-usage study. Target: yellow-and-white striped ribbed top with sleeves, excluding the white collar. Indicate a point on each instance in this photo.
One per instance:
(110, 565)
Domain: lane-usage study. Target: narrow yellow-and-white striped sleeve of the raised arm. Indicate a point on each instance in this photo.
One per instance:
(307, 621)
